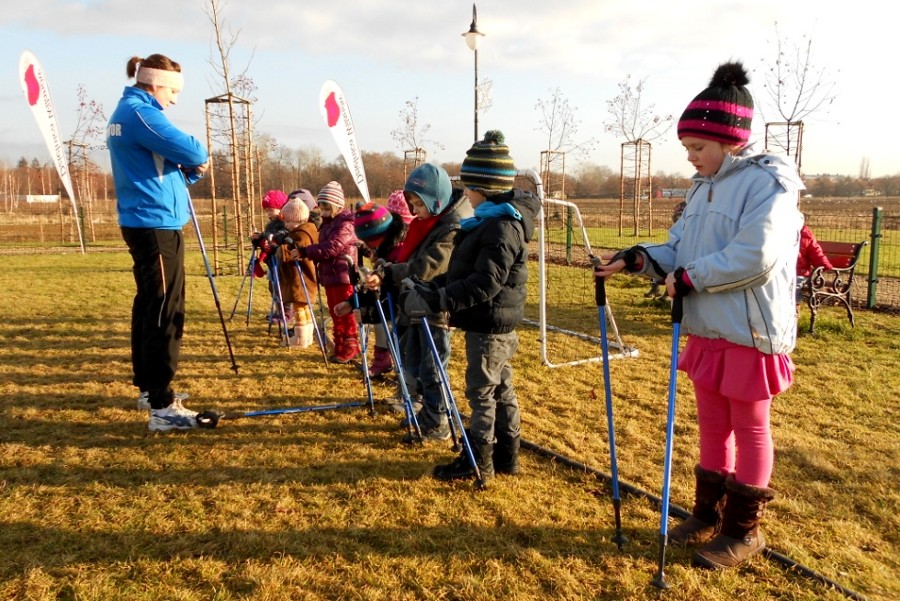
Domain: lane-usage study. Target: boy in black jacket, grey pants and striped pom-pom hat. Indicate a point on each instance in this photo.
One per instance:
(484, 291)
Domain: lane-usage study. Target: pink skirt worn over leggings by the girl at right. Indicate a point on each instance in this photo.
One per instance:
(735, 371)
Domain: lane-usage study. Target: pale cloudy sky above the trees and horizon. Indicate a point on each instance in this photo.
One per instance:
(384, 54)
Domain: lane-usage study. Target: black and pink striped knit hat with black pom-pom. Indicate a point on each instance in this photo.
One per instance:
(723, 111)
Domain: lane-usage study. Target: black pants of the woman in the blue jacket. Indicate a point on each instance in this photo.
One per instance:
(157, 315)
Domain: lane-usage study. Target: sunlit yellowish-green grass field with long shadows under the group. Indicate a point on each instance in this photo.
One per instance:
(330, 505)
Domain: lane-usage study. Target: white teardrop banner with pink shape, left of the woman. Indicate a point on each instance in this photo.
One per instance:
(34, 85)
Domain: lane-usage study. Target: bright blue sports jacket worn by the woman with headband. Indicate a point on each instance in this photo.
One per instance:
(146, 151)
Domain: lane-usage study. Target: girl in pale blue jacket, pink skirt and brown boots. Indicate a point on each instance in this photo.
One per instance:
(732, 258)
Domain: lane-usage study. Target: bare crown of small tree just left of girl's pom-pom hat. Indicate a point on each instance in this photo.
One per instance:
(631, 119)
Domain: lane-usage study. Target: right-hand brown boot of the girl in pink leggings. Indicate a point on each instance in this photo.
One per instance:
(740, 537)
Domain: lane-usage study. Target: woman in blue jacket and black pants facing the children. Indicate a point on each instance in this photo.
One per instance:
(152, 164)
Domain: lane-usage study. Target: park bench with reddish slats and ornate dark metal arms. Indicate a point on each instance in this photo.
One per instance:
(833, 286)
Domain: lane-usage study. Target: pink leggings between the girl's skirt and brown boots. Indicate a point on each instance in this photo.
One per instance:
(735, 436)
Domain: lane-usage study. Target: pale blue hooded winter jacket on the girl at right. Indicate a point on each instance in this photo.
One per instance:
(738, 240)
